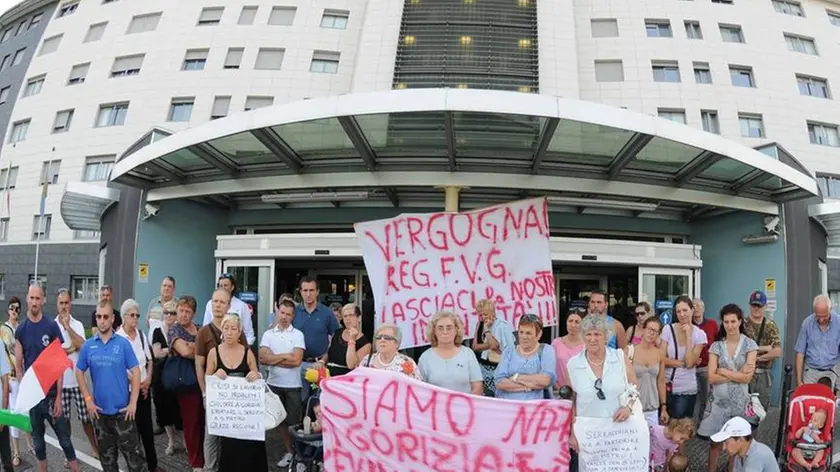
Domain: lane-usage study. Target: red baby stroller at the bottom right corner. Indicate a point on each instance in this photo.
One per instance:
(804, 401)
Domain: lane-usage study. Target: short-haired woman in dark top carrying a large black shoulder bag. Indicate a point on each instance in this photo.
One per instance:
(182, 336)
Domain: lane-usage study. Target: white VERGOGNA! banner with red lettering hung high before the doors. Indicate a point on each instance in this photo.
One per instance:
(420, 264)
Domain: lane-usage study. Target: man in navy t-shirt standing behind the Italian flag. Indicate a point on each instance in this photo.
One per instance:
(34, 334)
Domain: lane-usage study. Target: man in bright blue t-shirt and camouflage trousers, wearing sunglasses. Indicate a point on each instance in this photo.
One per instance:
(112, 365)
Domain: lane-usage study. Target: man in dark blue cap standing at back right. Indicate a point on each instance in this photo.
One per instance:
(765, 333)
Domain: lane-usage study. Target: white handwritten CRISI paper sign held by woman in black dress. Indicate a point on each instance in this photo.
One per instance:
(236, 408)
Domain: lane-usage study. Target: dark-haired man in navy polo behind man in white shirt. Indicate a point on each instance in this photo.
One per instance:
(317, 323)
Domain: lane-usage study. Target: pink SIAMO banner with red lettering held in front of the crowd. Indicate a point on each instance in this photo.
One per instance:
(375, 420)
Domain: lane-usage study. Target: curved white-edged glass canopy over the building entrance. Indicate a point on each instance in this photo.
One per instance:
(472, 138)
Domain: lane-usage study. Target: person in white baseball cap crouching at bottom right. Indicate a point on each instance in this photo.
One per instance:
(748, 454)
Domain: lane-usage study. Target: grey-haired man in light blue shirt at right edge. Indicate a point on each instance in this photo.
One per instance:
(818, 345)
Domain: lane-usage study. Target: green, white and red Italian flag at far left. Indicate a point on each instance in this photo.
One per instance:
(36, 383)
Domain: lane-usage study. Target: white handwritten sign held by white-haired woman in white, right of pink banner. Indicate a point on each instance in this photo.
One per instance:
(607, 446)
